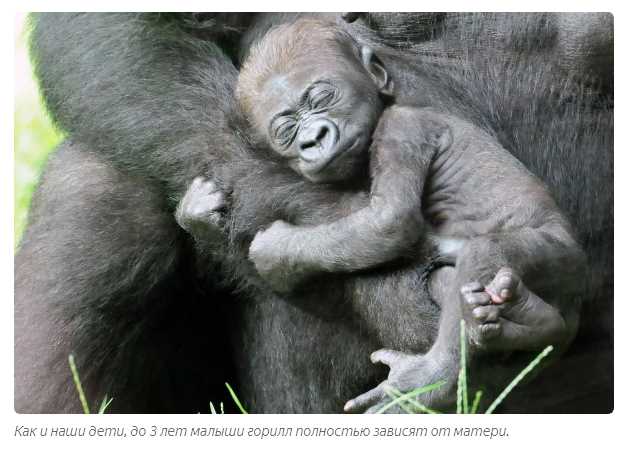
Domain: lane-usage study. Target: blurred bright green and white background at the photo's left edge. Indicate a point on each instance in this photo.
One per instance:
(34, 135)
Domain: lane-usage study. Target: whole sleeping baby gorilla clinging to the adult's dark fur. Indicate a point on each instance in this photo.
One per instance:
(325, 115)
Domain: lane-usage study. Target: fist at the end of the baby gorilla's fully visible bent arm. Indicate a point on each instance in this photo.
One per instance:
(273, 257)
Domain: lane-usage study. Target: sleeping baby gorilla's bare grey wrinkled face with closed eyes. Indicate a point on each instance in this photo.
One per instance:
(321, 116)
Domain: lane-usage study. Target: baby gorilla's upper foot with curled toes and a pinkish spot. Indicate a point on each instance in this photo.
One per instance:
(506, 315)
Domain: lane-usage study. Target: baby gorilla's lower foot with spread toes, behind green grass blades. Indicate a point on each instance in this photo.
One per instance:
(408, 372)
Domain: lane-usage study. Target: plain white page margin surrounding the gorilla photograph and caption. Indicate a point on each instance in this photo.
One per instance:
(591, 437)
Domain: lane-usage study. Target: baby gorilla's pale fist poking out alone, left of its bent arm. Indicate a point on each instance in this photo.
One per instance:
(200, 210)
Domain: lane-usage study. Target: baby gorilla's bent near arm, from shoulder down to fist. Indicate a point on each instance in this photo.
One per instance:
(391, 224)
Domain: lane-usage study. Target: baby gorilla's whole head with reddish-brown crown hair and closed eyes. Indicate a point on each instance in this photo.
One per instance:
(314, 95)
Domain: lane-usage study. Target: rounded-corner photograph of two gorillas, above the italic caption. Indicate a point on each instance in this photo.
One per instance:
(316, 213)
